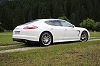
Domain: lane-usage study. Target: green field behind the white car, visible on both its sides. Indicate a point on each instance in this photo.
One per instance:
(6, 38)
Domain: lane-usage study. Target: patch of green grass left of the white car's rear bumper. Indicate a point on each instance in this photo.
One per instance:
(6, 39)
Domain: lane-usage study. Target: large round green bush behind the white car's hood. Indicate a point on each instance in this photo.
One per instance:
(89, 24)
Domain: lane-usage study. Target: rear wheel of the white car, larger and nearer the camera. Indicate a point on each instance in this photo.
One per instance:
(45, 39)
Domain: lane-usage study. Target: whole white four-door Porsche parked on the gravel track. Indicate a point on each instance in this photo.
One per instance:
(48, 31)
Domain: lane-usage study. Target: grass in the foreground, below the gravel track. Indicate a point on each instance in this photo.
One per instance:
(68, 54)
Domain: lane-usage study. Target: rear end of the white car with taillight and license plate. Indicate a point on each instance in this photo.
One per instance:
(26, 32)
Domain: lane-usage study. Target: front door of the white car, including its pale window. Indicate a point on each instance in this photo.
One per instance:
(70, 33)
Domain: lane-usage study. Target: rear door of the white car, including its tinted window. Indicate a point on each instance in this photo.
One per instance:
(57, 30)
